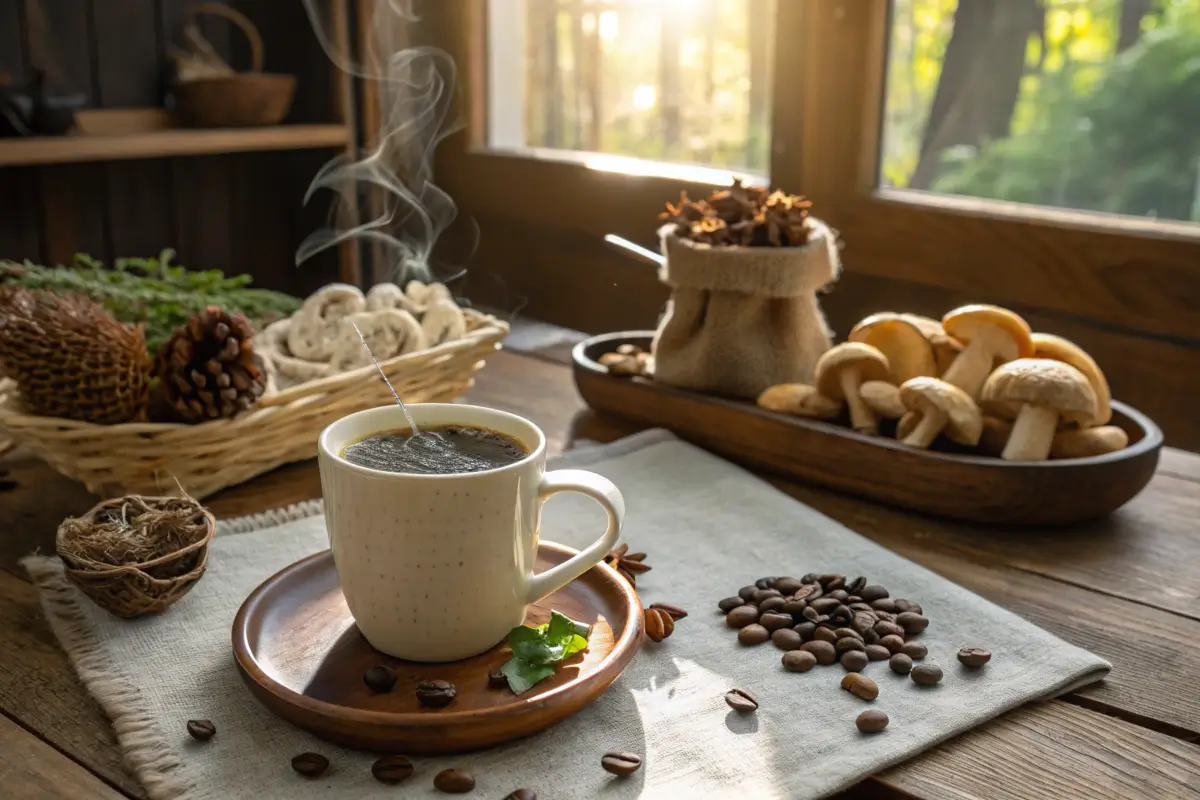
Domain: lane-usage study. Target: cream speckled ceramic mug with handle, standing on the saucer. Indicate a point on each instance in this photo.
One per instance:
(440, 568)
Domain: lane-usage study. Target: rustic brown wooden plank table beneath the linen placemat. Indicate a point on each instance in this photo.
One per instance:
(1126, 588)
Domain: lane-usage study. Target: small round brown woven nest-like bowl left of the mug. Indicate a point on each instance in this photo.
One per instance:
(149, 587)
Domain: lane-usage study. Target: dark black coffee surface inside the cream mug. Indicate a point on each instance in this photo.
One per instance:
(446, 450)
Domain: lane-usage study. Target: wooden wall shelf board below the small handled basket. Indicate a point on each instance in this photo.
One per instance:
(160, 145)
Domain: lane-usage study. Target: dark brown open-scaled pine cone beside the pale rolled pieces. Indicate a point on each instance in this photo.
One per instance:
(208, 369)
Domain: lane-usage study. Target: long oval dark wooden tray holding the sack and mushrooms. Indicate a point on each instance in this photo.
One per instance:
(959, 486)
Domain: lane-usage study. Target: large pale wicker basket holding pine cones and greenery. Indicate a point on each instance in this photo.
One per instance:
(149, 458)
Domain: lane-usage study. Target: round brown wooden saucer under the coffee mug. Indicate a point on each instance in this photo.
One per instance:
(303, 657)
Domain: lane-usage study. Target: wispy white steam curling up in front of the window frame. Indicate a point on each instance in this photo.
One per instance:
(416, 87)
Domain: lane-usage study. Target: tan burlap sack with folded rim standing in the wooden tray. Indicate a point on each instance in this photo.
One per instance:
(742, 320)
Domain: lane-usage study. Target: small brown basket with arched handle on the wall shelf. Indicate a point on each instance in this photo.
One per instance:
(209, 94)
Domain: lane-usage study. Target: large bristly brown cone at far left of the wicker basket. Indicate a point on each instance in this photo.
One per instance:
(71, 359)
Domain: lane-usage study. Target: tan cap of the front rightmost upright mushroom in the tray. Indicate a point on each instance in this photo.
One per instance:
(1040, 382)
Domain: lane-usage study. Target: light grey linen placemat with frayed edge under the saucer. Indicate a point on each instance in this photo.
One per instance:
(710, 528)
